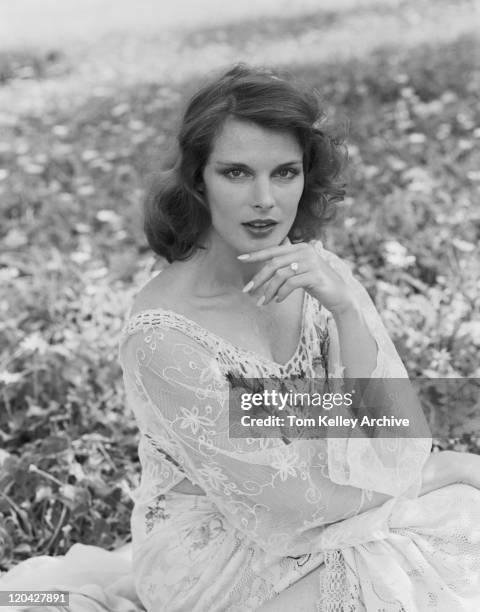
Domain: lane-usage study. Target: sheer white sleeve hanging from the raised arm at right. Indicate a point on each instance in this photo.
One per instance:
(389, 465)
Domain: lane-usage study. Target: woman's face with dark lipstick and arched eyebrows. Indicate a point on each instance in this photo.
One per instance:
(253, 181)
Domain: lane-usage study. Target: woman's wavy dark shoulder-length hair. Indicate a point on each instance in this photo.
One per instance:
(176, 212)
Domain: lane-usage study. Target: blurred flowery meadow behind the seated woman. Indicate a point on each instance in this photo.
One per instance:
(85, 120)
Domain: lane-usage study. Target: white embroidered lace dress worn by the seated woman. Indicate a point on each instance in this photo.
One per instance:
(349, 502)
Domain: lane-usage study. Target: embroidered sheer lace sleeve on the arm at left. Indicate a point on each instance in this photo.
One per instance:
(278, 494)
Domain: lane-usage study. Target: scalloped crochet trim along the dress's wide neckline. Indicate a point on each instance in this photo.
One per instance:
(220, 339)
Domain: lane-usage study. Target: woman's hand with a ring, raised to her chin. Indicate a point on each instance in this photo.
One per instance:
(294, 266)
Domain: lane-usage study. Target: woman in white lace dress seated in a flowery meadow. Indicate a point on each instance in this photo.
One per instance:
(232, 523)
